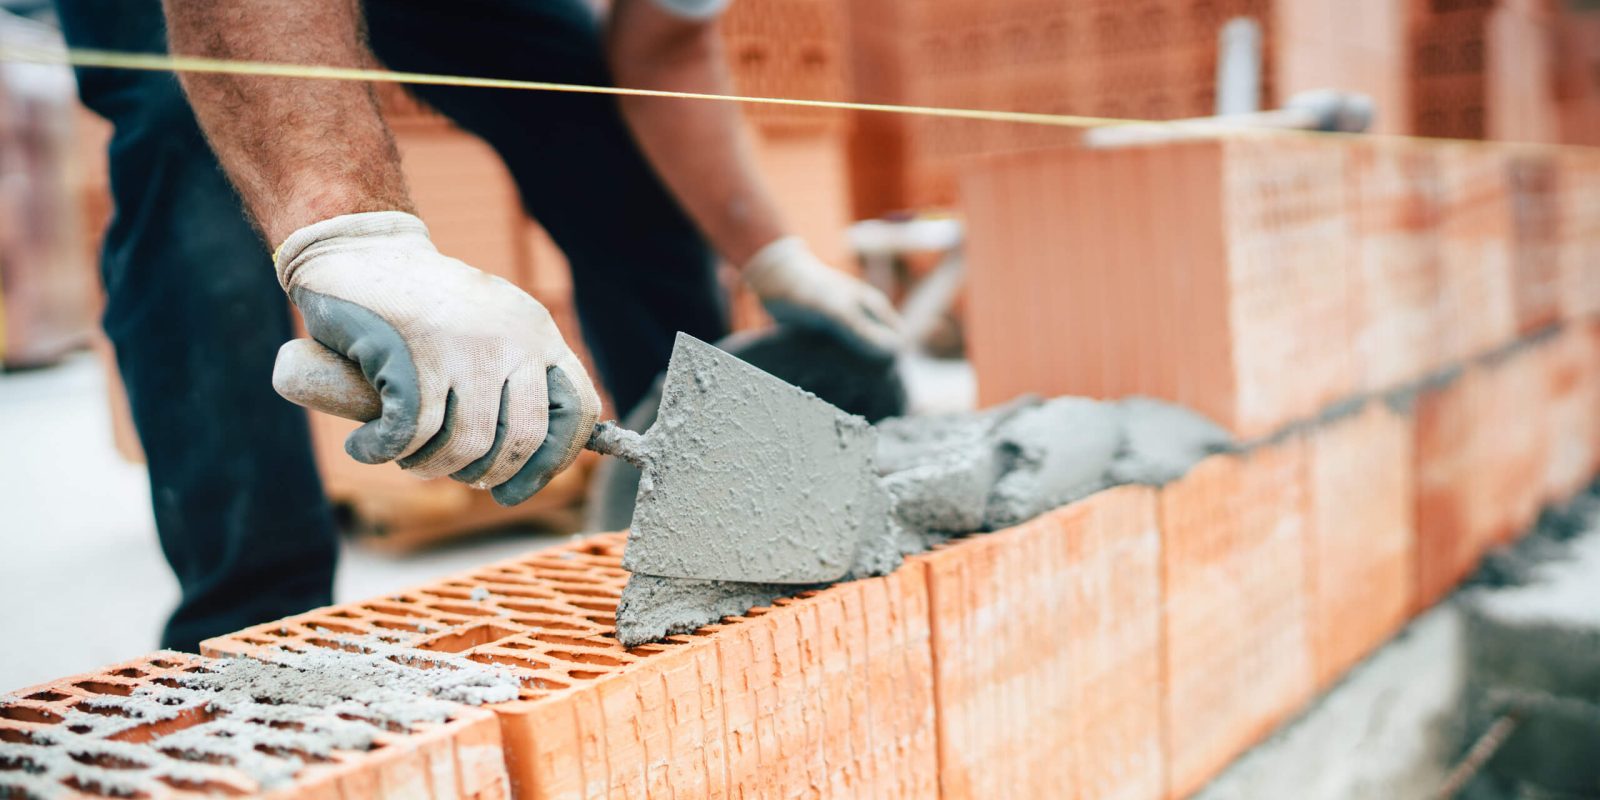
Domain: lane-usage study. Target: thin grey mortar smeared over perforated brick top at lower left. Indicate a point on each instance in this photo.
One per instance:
(268, 716)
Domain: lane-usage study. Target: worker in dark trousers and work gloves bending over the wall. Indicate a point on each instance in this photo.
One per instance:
(474, 377)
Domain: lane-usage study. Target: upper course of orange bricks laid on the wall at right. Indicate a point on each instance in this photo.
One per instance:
(1262, 279)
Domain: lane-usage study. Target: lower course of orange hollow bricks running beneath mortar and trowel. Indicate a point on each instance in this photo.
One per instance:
(1127, 646)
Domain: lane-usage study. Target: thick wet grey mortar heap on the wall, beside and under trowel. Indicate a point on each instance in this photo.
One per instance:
(958, 474)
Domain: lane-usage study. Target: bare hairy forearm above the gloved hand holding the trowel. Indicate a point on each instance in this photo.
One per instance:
(298, 151)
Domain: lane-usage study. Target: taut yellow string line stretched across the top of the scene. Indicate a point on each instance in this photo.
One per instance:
(167, 63)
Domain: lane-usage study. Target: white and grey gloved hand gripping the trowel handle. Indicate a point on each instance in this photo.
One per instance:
(474, 377)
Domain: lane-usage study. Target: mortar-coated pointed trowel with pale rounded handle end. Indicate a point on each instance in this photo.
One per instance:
(745, 478)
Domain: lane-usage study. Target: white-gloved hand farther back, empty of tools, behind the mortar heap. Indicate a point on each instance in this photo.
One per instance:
(799, 289)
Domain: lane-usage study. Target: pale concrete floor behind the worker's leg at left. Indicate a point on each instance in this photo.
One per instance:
(82, 580)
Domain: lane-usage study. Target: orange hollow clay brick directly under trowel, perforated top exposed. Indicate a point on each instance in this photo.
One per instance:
(833, 690)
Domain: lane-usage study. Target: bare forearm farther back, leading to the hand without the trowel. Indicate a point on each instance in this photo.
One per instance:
(700, 148)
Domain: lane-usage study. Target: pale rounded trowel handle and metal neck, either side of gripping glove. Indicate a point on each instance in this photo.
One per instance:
(318, 378)
